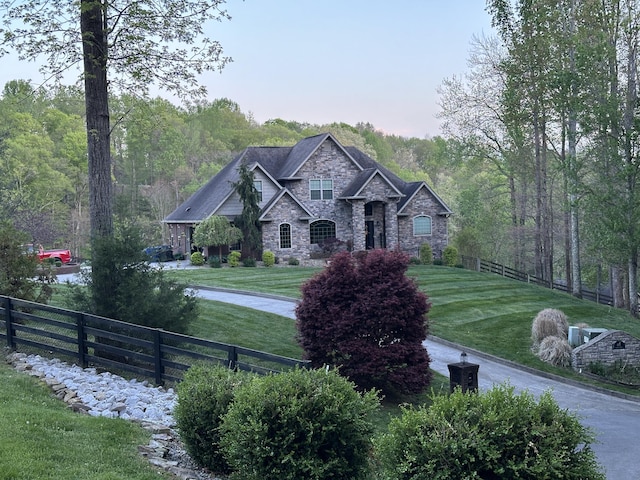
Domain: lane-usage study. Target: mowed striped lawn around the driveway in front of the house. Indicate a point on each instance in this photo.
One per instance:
(483, 311)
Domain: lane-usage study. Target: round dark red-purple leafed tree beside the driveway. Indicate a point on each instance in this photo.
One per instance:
(364, 315)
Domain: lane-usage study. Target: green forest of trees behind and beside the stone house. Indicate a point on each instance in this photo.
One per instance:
(538, 157)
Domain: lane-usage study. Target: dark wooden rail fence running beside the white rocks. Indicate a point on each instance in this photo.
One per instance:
(148, 352)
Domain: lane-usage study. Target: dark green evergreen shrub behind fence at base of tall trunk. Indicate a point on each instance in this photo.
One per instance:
(141, 293)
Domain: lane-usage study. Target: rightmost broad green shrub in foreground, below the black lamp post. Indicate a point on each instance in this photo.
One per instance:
(496, 435)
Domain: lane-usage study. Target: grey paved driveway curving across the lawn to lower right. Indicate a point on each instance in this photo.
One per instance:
(615, 420)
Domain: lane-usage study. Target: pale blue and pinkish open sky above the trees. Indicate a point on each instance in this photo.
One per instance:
(319, 62)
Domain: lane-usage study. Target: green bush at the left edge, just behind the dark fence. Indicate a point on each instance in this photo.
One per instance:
(21, 276)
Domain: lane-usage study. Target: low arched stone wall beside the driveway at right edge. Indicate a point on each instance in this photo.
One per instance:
(607, 349)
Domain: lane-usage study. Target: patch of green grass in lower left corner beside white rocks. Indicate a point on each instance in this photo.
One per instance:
(41, 438)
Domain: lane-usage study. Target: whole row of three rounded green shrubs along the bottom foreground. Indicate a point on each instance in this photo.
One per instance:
(313, 424)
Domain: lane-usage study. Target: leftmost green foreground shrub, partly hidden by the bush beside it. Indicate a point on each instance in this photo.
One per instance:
(204, 396)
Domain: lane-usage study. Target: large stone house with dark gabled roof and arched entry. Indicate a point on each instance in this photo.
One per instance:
(320, 189)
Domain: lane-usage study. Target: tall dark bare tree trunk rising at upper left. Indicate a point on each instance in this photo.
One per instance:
(94, 48)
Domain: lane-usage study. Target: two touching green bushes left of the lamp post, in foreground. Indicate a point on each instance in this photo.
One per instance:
(309, 424)
